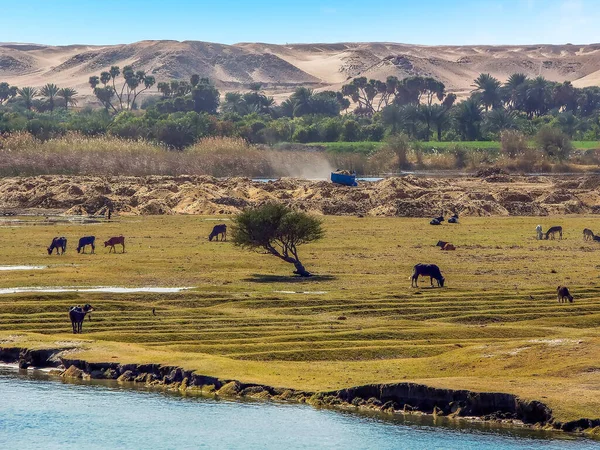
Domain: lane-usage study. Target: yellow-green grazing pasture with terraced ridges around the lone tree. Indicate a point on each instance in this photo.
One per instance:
(496, 326)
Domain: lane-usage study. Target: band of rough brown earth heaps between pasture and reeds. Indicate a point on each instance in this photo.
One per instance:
(498, 195)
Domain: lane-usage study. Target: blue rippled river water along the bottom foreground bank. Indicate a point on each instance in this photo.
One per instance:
(37, 412)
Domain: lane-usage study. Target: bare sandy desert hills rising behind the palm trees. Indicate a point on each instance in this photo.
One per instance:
(283, 67)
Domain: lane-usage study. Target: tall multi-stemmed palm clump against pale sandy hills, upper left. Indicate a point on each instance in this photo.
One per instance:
(134, 83)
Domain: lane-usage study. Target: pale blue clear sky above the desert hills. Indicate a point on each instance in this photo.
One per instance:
(61, 22)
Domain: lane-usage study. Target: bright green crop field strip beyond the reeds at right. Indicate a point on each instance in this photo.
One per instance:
(368, 147)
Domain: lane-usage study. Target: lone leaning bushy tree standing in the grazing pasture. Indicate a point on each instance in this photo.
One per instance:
(278, 230)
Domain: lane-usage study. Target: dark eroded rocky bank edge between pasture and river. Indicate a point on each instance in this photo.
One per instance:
(396, 398)
